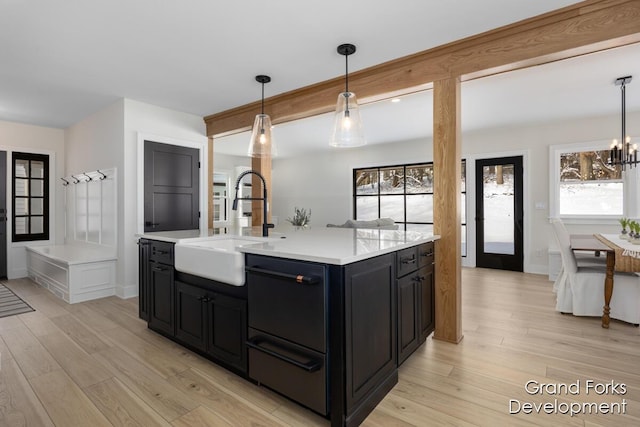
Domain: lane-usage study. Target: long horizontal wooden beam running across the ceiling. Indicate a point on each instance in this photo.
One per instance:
(581, 28)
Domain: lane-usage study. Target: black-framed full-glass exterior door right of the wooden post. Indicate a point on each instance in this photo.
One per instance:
(499, 213)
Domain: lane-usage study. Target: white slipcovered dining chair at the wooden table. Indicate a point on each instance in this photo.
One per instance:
(582, 292)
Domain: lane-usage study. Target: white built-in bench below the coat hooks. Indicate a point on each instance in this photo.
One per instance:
(74, 272)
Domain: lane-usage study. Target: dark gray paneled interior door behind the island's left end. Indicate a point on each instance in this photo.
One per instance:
(171, 187)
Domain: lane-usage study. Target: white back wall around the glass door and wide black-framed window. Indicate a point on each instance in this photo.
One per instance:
(324, 185)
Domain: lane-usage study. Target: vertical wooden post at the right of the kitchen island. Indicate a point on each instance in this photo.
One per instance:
(446, 208)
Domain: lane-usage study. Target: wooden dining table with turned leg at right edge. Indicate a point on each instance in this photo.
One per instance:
(619, 254)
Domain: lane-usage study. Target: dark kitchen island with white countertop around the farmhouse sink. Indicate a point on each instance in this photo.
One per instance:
(326, 316)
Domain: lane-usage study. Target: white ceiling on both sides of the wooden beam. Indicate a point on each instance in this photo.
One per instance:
(63, 61)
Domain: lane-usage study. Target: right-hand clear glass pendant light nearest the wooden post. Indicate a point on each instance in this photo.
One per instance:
(347, 127)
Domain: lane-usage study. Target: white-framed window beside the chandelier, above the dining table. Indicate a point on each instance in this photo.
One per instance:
(584, 185)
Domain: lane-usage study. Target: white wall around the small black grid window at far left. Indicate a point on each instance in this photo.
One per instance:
(42, 140)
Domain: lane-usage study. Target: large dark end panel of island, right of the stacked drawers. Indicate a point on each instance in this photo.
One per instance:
(370, 326)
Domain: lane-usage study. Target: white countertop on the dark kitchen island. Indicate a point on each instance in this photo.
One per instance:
(337, 246)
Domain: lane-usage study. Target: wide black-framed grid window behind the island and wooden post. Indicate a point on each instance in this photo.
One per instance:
(403, 193)
